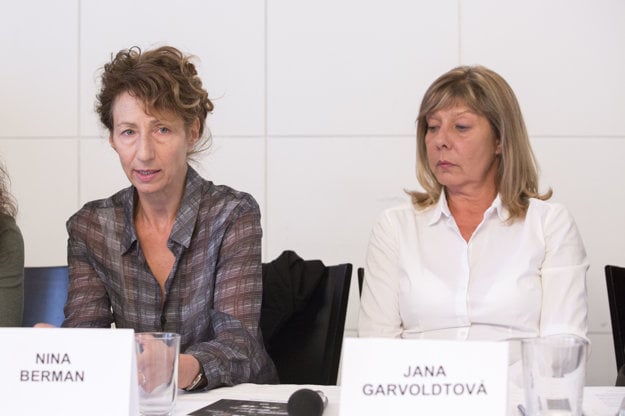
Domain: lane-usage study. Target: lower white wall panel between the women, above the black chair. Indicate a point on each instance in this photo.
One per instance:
(324, 195)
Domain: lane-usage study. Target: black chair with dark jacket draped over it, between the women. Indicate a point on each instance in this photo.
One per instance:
(303, 317)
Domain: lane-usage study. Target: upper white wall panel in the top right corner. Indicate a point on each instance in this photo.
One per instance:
(564, 59)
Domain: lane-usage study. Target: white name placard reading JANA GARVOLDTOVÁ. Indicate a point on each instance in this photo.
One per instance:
(423, 377)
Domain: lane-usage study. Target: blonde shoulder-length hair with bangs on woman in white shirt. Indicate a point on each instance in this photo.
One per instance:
(487, 94)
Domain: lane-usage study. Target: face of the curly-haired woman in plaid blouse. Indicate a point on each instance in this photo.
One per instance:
(152, 149)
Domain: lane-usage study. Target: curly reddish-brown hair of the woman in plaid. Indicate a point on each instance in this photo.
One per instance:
(164, 79)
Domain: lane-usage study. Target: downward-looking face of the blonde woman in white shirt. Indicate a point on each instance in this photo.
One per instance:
(461, 149)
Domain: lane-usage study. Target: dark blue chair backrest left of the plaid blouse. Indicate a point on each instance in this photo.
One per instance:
(45, 293)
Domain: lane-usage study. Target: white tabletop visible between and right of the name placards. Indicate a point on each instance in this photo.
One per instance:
(598, 401)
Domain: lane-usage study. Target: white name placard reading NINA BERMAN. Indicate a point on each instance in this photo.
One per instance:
(63, 371)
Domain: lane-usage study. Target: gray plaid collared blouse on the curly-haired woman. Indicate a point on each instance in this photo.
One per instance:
(212, 295)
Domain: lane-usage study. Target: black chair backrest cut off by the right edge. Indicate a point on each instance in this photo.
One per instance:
(615, 282)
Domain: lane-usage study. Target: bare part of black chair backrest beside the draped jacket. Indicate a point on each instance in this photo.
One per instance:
(306, 349)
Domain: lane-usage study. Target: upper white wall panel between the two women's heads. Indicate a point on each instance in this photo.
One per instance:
(354, 67)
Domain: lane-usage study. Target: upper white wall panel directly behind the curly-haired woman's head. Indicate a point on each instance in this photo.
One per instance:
(226, 36)
